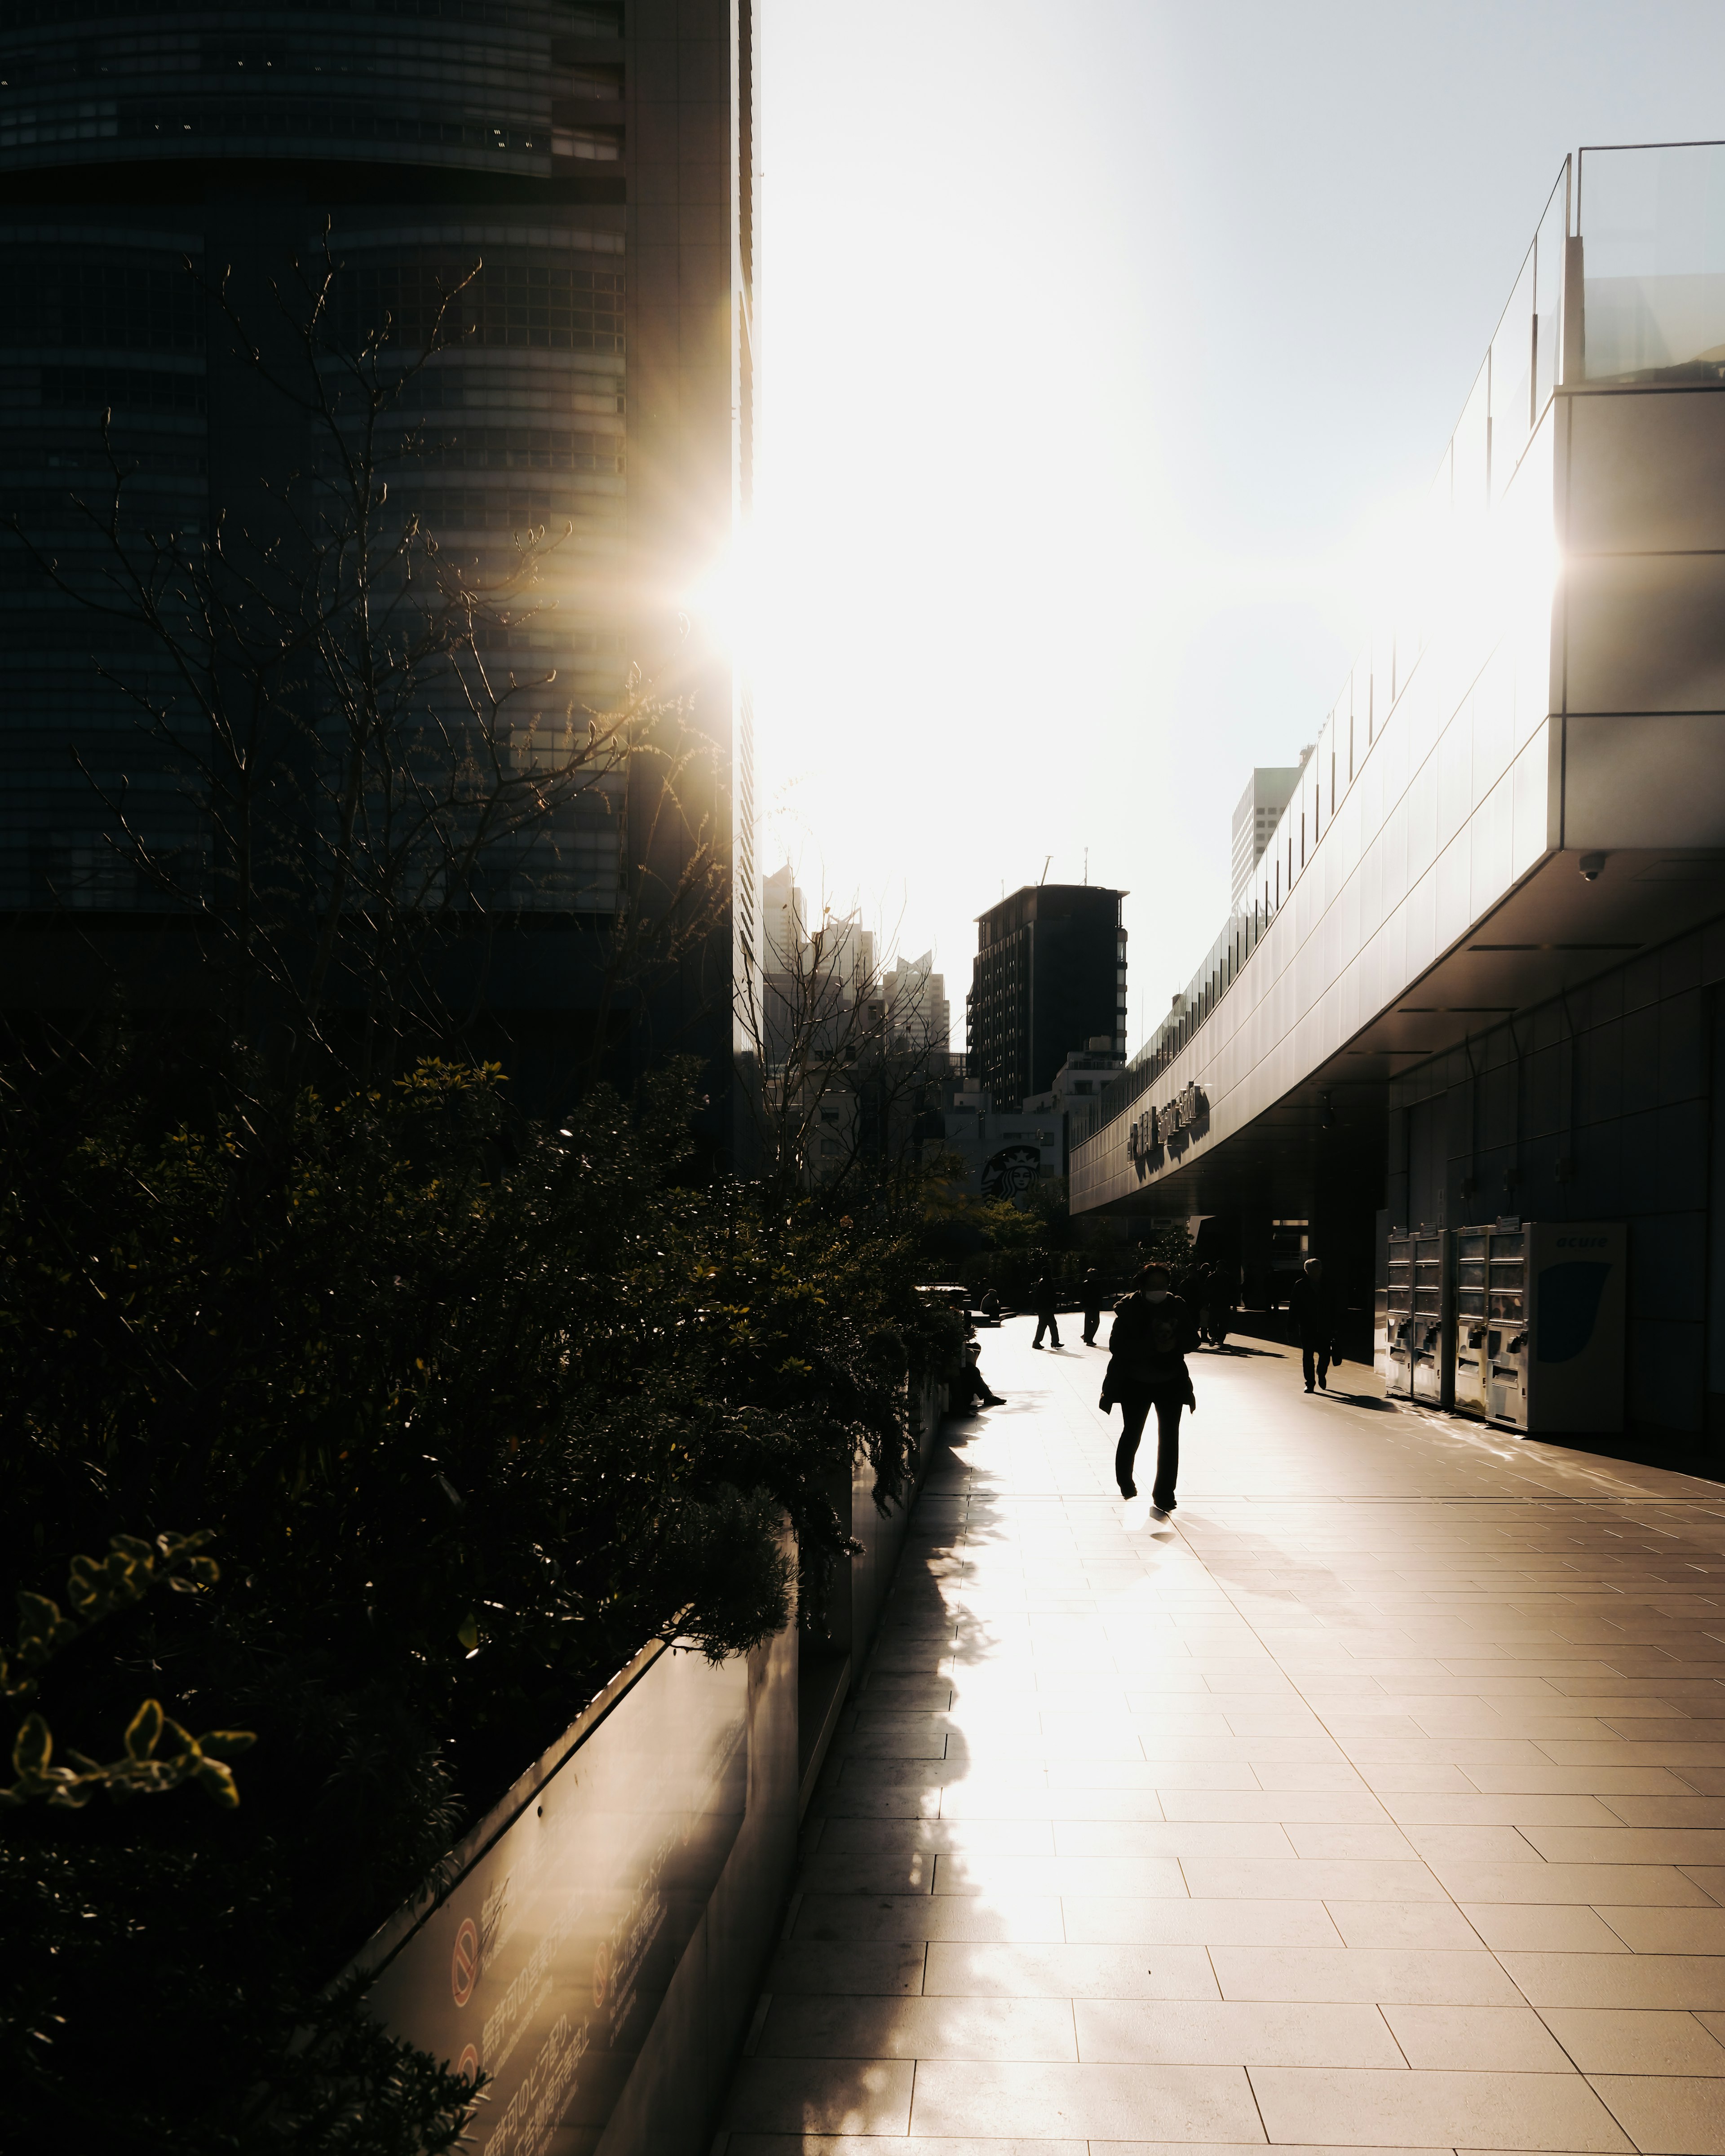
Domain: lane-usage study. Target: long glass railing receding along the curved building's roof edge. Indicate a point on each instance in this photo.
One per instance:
(1517, 378)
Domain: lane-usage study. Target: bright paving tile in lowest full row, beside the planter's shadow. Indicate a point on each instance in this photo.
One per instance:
(1103, 2103)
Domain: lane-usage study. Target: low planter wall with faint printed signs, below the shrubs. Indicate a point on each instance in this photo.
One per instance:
(607, 1926)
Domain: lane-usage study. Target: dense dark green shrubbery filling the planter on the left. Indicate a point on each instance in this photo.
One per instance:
(469, 1409)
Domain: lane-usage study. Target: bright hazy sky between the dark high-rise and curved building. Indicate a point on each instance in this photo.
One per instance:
(1107, 346)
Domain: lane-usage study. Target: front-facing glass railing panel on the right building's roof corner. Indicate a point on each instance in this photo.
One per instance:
(1653, 243)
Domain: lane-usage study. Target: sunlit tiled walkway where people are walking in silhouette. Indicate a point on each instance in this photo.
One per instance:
(1372, 1801)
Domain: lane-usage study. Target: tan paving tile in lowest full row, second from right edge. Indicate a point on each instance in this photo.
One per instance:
(1342, 2107)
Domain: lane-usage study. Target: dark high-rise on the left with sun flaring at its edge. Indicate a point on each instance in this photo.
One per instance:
(588, 167)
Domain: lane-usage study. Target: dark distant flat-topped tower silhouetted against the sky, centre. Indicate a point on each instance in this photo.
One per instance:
(1049, 978)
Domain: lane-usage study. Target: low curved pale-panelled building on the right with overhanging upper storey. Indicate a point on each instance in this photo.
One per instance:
(1480, 969)
